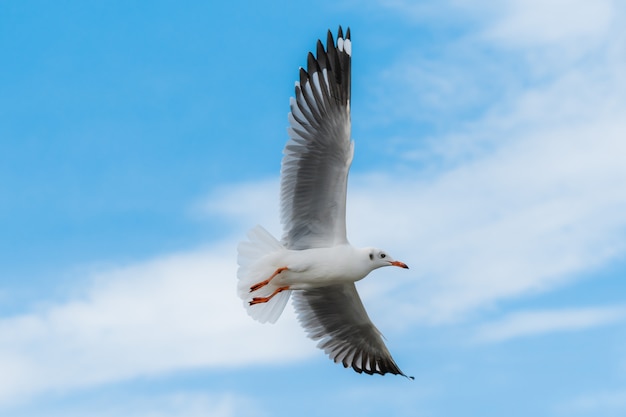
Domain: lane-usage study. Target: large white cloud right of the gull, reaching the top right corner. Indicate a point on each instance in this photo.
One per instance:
(534, 196)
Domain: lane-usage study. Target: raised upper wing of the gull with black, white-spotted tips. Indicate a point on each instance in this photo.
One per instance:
(318, 155)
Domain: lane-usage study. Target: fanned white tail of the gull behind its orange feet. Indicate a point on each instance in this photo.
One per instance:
(255, 266)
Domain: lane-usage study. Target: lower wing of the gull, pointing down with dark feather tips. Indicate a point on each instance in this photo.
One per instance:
(335, 316)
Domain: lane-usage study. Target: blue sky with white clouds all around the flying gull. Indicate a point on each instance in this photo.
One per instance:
(139, 142)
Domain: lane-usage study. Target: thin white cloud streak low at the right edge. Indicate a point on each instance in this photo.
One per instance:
(532, 323)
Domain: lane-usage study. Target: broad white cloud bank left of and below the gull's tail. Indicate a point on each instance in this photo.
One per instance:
(174, 312)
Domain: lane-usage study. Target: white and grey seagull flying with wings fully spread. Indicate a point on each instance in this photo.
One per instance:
(314, 259)
